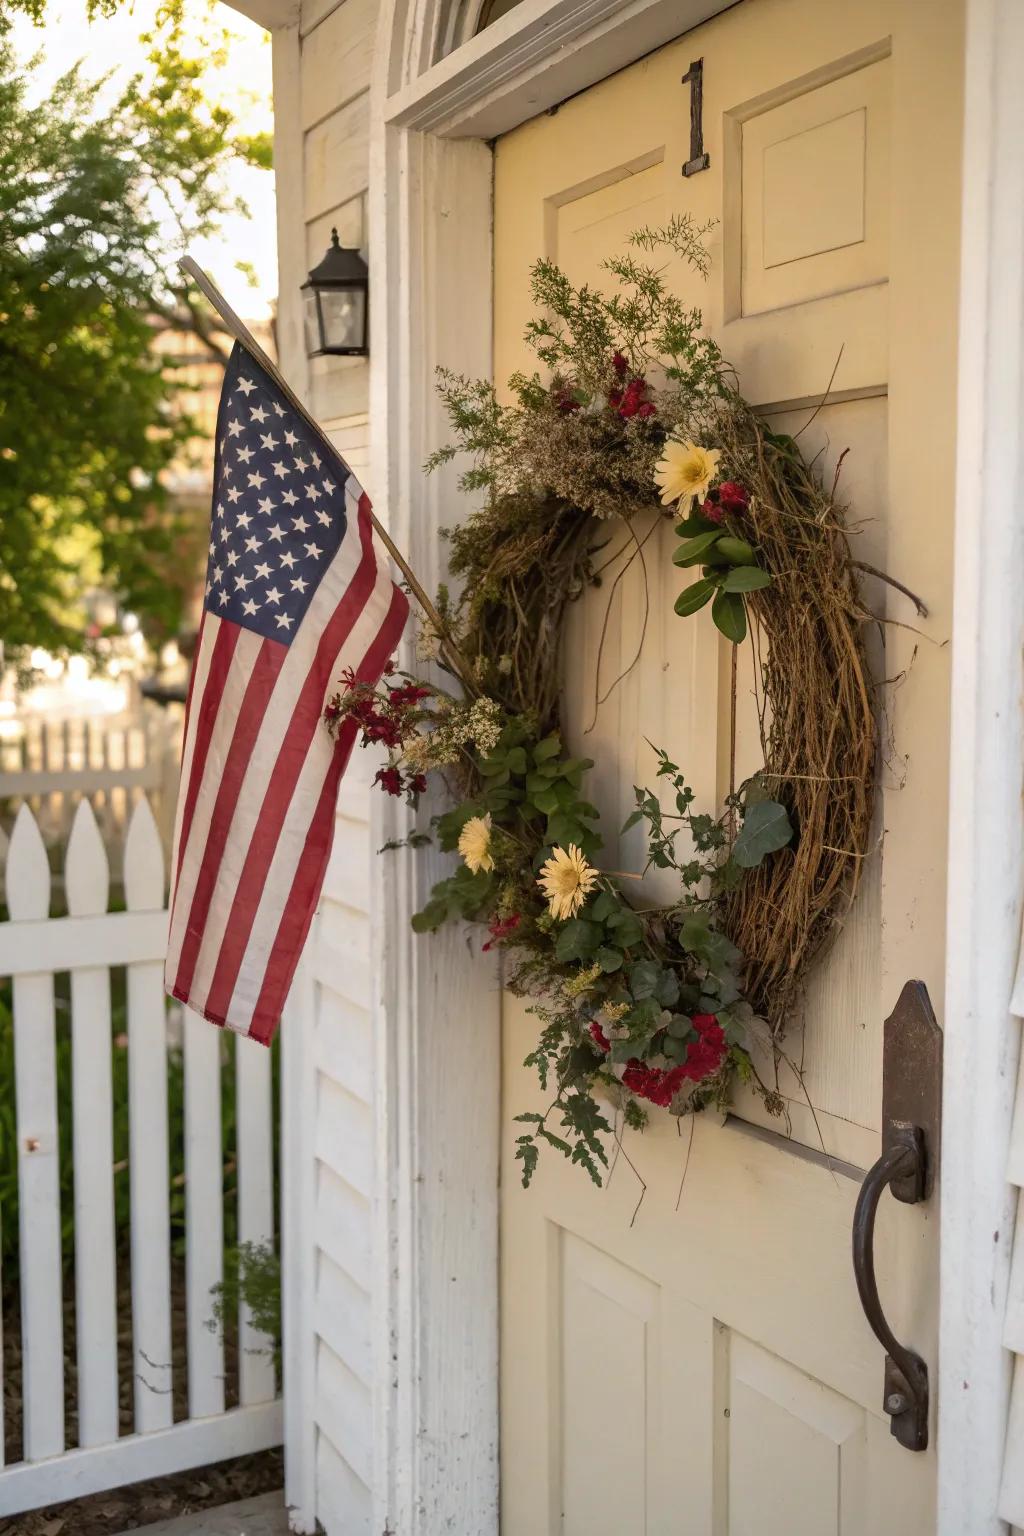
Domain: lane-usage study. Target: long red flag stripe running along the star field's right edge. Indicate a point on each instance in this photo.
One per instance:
(285, 776)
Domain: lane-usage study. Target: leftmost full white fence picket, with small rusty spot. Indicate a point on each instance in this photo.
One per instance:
(39, 1180)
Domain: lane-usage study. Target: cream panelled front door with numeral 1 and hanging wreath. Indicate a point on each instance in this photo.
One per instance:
(705, 1368)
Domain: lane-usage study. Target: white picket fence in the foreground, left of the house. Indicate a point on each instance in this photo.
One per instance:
(35, 950)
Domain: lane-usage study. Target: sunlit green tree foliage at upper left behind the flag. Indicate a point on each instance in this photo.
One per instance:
(99, 197)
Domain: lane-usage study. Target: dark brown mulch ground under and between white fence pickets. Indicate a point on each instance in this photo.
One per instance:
(144, 1503)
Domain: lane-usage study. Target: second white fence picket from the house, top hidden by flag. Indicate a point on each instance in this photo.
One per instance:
(205, 1213)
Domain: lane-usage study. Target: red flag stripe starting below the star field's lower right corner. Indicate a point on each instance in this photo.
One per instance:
(248, 724)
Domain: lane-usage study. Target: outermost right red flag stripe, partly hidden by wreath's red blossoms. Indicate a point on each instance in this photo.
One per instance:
(309, 876)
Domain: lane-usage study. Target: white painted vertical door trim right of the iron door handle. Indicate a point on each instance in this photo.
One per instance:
(986, 833)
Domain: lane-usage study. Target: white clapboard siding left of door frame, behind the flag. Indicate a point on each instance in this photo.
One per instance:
(329, 1131)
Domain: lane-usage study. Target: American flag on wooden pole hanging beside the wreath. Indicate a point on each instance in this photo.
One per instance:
(297, 591)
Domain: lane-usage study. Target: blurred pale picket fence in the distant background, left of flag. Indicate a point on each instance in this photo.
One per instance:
(113, 761)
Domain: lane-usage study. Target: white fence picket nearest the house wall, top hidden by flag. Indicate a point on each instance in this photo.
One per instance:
(256, 1205)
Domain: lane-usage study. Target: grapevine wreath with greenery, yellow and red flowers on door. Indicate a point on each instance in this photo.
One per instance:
(636, 412)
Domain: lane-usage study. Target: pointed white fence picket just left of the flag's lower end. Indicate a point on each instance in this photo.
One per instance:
(148, 1140)
